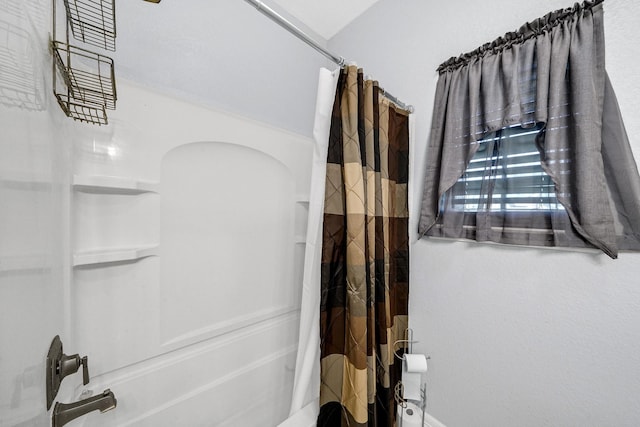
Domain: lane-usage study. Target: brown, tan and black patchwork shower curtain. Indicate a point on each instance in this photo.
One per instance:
(365, 256)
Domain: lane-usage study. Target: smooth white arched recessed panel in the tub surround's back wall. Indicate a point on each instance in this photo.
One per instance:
(227, 240)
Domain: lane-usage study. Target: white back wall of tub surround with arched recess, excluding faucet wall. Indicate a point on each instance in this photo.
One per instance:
(165, 365)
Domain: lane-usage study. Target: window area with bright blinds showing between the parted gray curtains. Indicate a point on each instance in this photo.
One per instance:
(505, 195)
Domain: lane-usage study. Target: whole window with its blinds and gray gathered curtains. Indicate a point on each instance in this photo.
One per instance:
(571, 180)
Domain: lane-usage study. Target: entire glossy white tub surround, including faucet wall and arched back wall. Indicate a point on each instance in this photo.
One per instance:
(84, 205)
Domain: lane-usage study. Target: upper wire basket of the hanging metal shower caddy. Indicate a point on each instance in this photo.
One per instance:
(93, 22)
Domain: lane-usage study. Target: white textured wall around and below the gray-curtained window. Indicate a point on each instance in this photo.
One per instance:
(517, 337)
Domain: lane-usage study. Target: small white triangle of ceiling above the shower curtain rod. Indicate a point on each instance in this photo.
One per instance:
(325, 17)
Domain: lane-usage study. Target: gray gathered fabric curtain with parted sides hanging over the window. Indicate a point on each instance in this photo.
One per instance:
(549, 73)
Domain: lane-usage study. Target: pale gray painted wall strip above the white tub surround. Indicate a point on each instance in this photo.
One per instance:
(227, 56)
